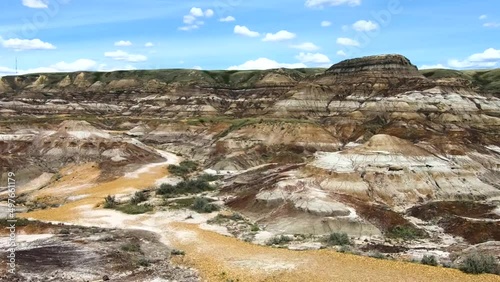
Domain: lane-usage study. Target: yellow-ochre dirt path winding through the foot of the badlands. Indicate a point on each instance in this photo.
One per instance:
(220, 258)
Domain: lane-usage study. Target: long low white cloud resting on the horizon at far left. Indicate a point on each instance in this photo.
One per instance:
(78, 65)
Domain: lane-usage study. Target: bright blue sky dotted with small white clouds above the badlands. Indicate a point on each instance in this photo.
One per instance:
(107, 35)
